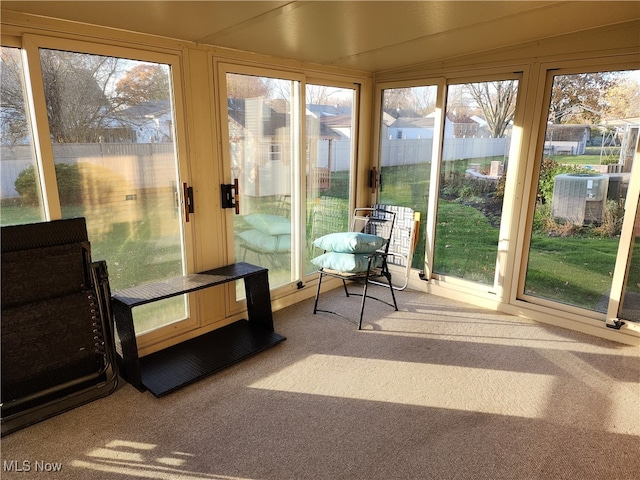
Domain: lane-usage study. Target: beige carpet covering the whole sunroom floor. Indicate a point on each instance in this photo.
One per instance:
(439, 390)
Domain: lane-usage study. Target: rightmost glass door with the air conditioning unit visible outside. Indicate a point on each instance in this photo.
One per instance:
(585, 172)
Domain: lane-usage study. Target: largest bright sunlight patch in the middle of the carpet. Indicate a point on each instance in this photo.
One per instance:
(499, 392)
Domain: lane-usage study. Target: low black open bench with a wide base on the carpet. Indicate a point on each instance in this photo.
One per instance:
(167, 370)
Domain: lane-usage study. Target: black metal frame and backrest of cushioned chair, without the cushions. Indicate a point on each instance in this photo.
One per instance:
(375, 220)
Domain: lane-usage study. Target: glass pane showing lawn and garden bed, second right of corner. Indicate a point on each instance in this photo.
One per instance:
(474, 161)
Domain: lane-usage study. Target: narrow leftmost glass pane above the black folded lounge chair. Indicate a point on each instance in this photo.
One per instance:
(22, 199)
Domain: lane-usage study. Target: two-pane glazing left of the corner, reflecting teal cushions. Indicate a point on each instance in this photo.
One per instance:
(290, 189)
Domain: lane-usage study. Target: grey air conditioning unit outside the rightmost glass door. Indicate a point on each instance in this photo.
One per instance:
(579, 197)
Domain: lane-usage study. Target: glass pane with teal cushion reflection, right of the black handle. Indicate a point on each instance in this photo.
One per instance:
(263, 125)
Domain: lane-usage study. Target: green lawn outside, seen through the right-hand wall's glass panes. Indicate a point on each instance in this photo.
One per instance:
(572, 270)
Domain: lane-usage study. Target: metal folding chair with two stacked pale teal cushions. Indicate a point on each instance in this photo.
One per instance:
(358, 256)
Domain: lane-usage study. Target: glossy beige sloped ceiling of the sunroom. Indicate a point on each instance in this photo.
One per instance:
(370, 36)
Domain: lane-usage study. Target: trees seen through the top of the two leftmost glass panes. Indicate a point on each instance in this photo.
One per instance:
(83, 101)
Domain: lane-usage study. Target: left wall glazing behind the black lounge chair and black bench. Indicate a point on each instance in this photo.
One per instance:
(107, 138)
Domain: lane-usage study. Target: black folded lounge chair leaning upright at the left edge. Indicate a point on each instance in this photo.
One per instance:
(56, 333)
